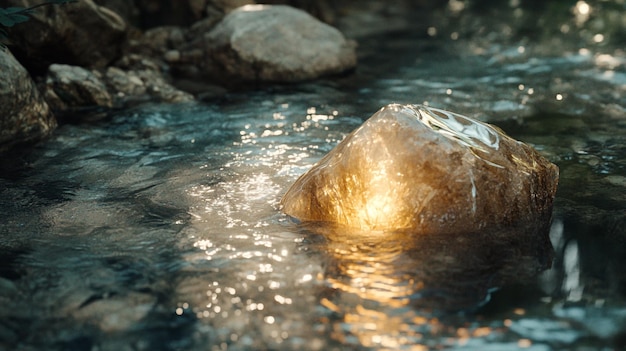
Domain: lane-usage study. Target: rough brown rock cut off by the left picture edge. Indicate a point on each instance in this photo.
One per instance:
(24, 115)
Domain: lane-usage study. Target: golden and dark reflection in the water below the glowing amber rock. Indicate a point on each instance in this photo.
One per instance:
(392, 289)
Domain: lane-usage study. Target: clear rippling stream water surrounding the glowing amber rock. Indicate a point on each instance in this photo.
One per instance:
(159, 228)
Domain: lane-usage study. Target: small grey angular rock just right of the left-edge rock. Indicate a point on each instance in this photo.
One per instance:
(74, 88)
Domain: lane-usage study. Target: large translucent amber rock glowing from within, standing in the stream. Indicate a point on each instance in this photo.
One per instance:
(411, 167)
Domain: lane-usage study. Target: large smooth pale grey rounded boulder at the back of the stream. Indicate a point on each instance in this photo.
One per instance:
(271, 43)
